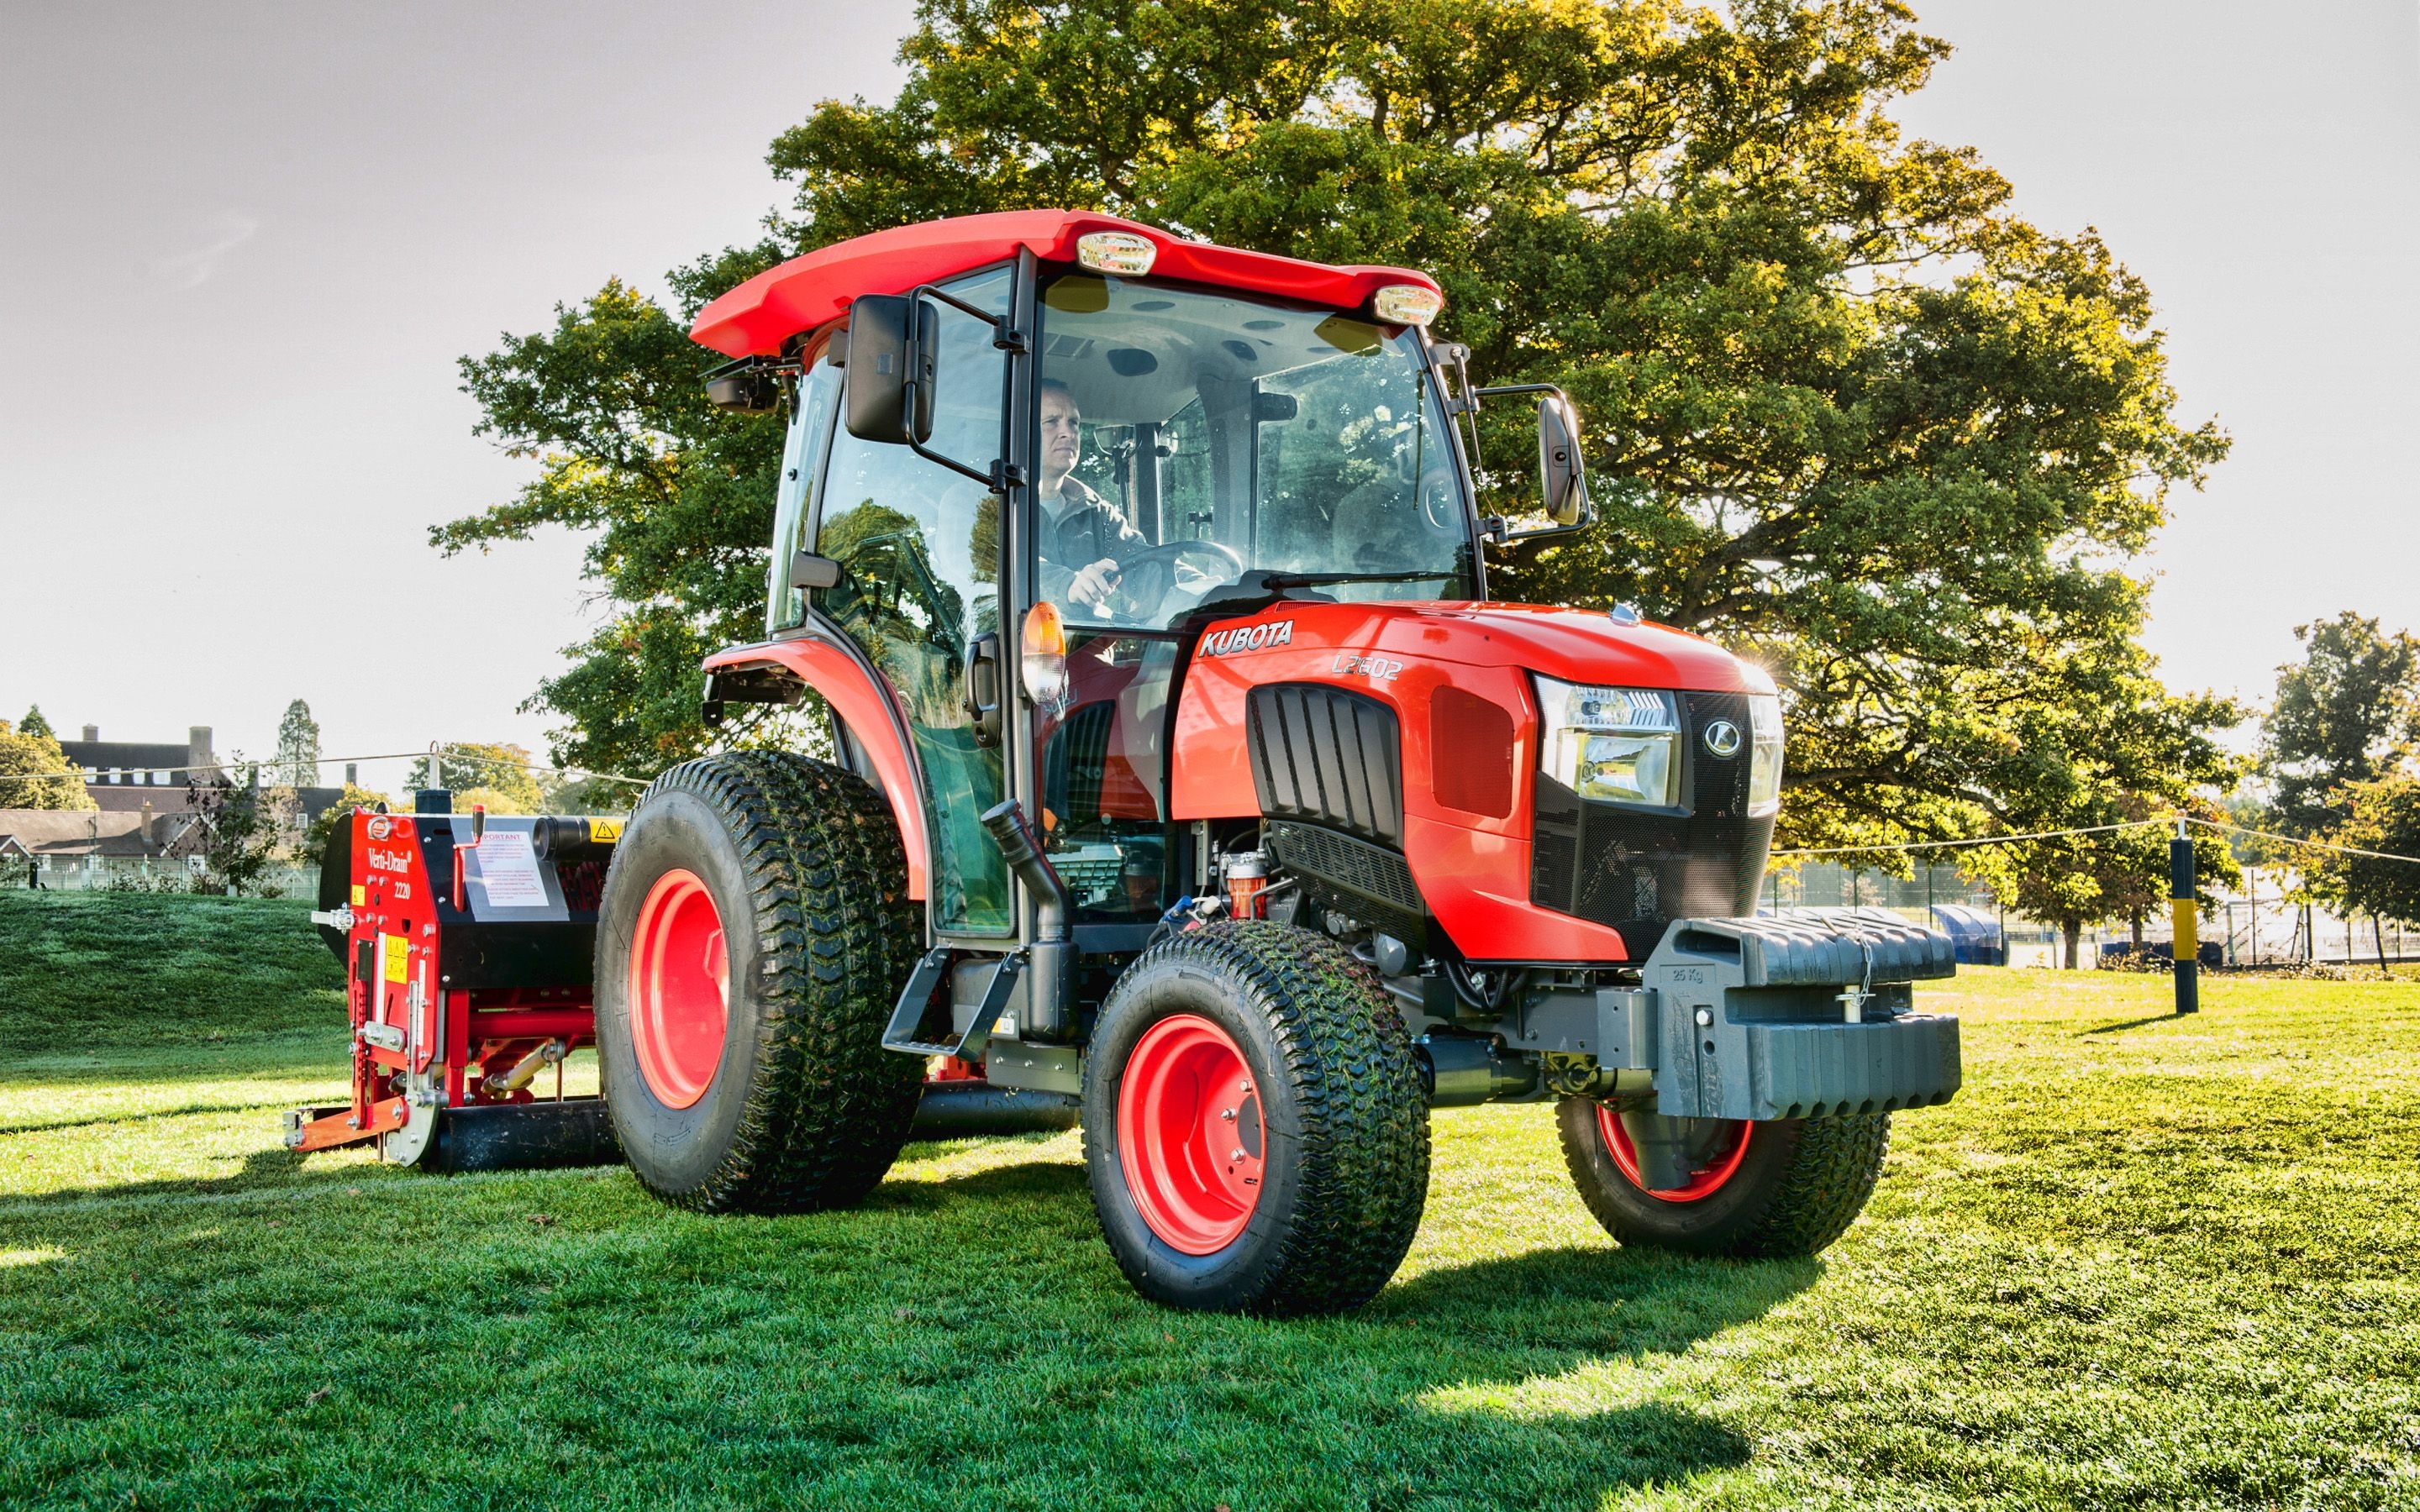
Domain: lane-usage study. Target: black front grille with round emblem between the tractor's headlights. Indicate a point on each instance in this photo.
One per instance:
(1640, 870)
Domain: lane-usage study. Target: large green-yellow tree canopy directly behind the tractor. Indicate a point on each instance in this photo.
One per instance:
(1848, 412)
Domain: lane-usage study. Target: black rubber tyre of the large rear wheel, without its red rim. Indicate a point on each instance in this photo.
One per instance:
(826, 1107)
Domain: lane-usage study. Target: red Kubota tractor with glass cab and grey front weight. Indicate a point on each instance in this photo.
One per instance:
(1187, 785)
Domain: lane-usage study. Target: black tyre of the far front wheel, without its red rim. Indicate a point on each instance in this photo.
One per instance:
(1802, 1189)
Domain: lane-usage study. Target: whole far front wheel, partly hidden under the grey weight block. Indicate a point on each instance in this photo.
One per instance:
(1727, 1189)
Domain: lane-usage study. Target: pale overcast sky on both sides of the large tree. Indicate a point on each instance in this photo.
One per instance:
(241, 248)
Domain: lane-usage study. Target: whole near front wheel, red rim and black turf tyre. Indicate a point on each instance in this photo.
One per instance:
(1255, 1124)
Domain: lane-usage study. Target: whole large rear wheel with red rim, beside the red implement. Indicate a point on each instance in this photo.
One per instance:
(754, 935)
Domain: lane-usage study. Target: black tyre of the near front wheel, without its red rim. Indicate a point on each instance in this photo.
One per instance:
(1356, 1097)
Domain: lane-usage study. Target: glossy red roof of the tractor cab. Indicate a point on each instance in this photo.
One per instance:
(807, 292)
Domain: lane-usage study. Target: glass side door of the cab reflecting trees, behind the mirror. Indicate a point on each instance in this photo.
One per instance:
(921, 582)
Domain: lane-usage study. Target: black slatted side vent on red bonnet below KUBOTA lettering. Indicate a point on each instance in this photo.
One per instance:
(1327, 756)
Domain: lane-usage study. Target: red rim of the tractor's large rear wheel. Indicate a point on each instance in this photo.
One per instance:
(679, 988)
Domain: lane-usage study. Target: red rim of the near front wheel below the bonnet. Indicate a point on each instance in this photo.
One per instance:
(1189, 1136)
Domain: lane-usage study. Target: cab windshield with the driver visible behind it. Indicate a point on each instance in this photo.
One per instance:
(1194, 437)
